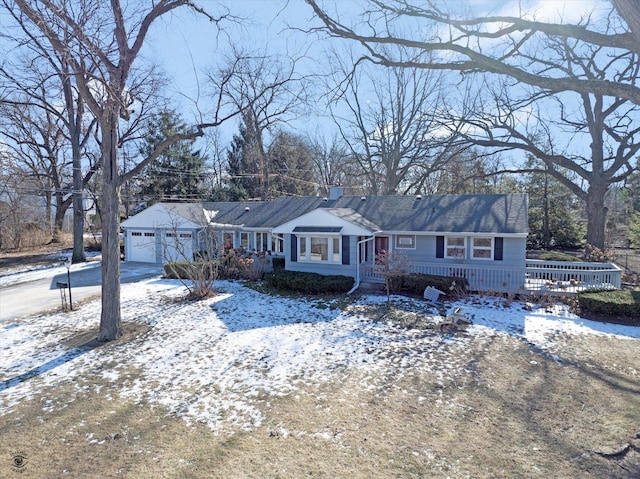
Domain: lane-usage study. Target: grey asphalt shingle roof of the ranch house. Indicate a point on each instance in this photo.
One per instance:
(496, 214)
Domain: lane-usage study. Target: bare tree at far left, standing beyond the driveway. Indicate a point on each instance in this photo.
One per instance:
(42, 100)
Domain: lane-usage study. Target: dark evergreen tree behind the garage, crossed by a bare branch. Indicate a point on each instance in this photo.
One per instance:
(178, 174)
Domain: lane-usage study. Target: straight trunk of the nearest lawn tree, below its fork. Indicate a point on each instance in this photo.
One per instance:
(110, 319)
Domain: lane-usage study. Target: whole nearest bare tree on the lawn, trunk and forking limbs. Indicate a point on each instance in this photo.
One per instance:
(101, 42)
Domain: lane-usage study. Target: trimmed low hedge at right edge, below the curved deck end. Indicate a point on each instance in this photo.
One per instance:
(619, 305)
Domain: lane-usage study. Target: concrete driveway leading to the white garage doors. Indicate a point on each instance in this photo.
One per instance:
(41, 295)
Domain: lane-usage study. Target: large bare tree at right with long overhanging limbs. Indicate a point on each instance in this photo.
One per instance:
(594, 61)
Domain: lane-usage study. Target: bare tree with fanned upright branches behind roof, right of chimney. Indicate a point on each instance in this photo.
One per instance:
(387, 118)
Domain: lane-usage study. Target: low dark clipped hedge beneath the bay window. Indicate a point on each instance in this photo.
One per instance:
(308, 283)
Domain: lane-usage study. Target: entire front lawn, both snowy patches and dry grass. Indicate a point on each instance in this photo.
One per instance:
(247, 385)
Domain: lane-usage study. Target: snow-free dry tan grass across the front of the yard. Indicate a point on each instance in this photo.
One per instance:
(495, 407)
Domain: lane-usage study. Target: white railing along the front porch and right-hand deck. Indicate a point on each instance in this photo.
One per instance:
(539, 276)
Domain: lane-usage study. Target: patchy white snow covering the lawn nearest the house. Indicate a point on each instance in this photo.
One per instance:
(220, 361)
